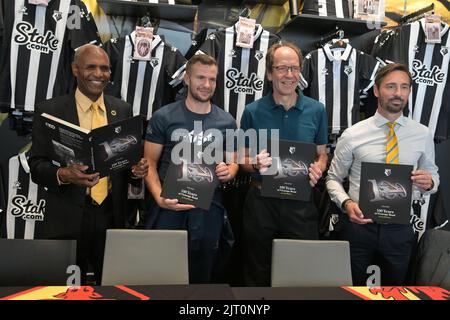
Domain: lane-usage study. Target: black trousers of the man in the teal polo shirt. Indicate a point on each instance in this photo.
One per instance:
(266, 219)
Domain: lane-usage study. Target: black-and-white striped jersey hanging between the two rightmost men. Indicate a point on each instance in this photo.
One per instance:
(338, 77)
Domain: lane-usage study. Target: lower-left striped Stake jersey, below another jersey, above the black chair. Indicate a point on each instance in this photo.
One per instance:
(25, 201)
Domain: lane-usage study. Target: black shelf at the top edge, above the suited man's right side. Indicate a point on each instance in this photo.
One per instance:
(155, 10)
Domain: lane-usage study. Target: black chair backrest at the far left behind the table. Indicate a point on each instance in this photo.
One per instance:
(35, 262)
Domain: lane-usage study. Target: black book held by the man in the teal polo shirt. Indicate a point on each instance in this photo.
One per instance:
(289, 173)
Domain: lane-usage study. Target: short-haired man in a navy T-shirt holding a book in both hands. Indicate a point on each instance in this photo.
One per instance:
(205, 227)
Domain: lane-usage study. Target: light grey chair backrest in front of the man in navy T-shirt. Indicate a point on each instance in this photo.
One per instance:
(145, 257)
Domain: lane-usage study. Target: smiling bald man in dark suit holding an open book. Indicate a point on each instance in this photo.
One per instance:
(71, 207)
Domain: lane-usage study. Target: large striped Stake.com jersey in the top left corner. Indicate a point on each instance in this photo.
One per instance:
(40, 43)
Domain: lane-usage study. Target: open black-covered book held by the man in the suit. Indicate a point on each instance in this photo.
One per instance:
(106, 149)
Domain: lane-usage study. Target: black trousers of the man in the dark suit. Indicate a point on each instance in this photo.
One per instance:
(91, 247)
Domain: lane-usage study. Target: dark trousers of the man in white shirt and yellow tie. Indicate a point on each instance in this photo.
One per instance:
(387, 246)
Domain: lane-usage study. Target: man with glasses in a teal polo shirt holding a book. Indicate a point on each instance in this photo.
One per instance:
(297, 118)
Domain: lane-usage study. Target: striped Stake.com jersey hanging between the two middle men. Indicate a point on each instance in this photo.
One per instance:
(241, 70)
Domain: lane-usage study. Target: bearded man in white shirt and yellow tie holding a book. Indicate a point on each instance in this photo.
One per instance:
(386, 137)
